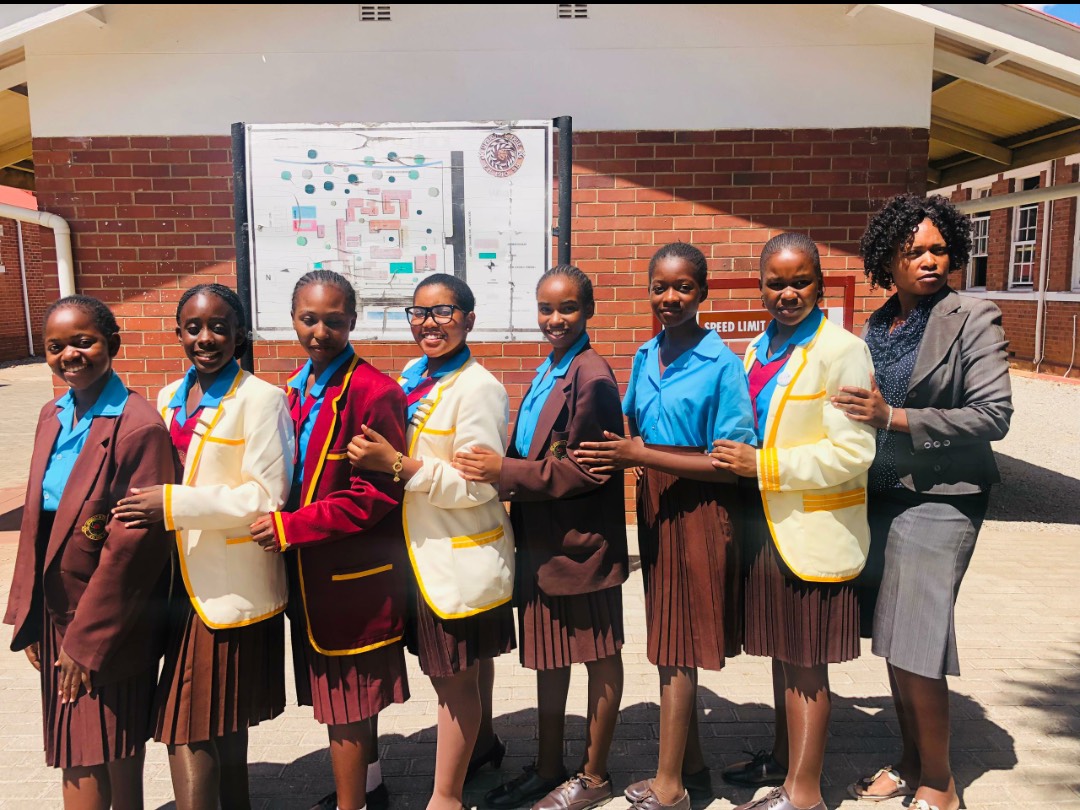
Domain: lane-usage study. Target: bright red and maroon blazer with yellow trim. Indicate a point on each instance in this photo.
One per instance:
(348, 564)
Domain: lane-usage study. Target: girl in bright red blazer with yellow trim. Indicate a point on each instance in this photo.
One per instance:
(342, 533)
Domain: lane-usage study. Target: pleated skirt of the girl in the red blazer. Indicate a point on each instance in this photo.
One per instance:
(346, 688)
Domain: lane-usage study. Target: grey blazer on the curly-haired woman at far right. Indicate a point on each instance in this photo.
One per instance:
(960, 400)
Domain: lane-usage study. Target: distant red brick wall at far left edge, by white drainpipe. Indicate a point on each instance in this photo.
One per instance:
(13, 343)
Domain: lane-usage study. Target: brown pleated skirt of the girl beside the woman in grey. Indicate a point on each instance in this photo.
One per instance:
(794, 622)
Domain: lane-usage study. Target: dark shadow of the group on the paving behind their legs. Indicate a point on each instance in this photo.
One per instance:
(863, 738)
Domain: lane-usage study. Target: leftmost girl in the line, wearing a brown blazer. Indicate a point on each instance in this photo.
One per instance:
(88, 595)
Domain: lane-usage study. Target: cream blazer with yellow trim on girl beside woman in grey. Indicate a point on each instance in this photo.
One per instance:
(812, 467)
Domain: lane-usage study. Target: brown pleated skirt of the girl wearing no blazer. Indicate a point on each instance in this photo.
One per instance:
(691, 568)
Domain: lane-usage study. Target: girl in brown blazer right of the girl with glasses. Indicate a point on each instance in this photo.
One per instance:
(570, 524)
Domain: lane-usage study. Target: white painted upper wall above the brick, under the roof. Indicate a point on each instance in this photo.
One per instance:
(196, 70)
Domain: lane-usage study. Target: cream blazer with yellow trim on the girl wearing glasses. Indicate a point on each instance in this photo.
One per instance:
(460, 538)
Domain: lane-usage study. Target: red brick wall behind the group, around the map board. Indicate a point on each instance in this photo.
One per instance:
(151, 217)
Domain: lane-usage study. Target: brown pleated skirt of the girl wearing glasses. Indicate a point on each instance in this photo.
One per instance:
(449, 646)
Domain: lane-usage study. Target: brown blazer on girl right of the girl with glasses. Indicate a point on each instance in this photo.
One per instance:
(570, 523)
